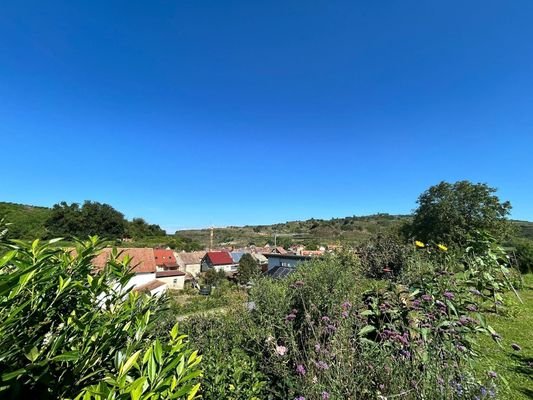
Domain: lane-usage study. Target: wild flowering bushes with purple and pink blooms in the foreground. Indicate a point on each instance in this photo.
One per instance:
(328, 332)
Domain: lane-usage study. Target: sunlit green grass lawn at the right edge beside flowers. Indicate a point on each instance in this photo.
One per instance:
(515, 368)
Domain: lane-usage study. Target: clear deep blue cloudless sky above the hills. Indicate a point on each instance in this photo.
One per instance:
(192, 113)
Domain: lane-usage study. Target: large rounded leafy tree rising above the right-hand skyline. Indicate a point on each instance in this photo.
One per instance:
(452, 213)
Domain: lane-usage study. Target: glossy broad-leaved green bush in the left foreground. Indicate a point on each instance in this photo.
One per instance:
(68, 330)
